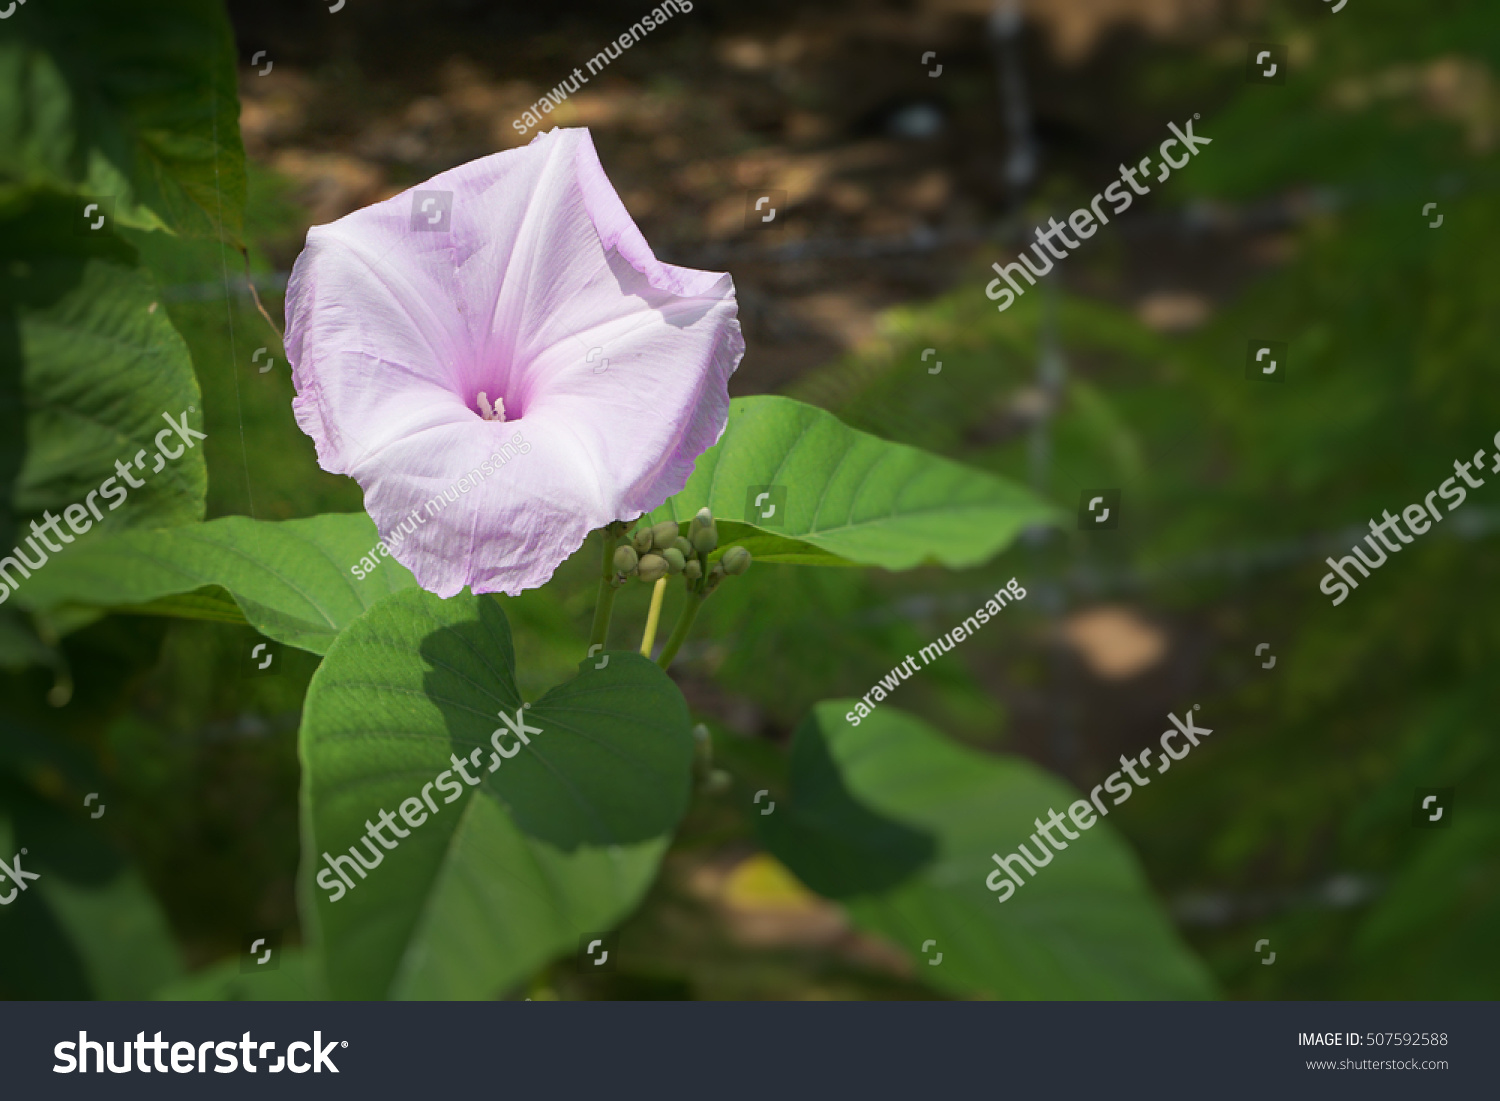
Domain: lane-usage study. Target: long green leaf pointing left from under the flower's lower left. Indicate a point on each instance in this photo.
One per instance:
(292, 580)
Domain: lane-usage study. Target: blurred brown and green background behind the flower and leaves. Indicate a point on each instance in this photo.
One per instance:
(917, 143)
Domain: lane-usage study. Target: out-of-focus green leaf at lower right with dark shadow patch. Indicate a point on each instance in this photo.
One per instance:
(901, 824)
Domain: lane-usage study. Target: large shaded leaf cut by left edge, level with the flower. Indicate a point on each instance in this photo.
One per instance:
(89, 370)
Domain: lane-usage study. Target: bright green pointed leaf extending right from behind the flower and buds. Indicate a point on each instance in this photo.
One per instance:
(851, 499)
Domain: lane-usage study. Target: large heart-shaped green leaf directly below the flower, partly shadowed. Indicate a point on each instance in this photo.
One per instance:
(559, 842)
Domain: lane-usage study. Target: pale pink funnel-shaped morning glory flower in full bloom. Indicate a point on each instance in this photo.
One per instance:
(503, 365)
